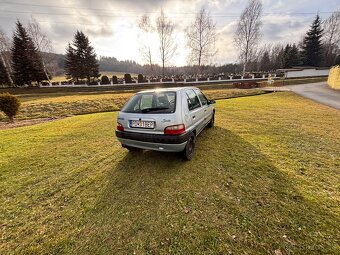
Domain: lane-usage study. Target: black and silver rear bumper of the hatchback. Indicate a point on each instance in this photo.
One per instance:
(156, 142)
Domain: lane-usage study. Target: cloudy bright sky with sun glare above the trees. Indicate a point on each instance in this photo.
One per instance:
(111, 25)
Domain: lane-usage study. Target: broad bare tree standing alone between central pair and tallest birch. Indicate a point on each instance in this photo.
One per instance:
(201, 36)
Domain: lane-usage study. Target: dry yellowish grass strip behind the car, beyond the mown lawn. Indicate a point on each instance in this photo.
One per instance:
(61, 104)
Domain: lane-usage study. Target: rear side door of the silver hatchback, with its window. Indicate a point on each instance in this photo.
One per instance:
(196, 113)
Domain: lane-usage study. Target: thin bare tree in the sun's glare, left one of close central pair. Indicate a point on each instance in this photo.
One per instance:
(146, 27)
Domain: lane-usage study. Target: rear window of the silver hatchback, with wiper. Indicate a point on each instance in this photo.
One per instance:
(152, 102)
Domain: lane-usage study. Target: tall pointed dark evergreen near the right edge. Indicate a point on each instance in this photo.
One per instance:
(311, 48)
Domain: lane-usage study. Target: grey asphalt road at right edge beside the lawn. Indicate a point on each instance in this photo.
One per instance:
(319, 92)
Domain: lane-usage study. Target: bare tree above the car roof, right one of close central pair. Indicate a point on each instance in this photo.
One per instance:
(167, 44)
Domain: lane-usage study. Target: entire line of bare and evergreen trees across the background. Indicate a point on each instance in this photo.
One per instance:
(28, 57)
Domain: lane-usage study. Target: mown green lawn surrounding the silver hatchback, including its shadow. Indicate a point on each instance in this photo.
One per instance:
(266, 178)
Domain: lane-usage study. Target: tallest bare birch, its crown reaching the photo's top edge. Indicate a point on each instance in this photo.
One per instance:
(248, 33)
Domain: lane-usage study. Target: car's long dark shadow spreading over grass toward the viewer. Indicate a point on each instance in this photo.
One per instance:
(229, 198)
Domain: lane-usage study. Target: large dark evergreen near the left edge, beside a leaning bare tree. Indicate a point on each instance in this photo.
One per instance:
(26, 61)
